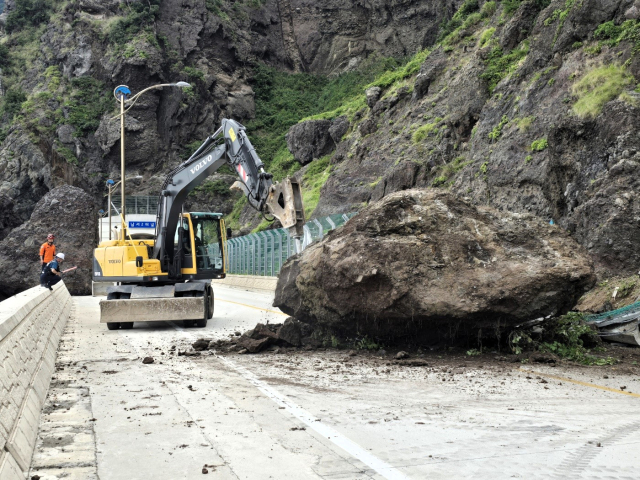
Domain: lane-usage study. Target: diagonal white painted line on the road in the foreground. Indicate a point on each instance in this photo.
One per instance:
(380, 466)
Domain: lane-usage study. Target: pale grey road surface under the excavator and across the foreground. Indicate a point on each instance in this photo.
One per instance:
(321, 414)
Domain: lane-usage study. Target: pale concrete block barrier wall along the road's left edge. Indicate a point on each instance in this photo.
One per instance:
(31, 324)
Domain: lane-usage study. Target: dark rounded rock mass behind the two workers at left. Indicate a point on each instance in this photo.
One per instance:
(70, 214)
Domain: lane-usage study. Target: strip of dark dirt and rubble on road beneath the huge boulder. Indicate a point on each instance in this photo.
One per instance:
(322, 367)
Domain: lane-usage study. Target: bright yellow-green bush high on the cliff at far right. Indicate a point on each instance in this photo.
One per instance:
(597, 87)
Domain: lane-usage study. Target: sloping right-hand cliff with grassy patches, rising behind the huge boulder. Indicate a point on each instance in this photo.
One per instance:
(527, 107)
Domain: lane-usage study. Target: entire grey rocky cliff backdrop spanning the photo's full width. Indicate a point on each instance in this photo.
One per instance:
(524, 106)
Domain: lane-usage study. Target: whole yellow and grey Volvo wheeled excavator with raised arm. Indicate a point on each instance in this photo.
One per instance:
(168, 278)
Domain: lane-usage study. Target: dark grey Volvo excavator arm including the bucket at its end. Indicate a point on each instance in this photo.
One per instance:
(228, 145)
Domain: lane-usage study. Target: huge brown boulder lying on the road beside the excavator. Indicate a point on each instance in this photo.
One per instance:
(429, 264)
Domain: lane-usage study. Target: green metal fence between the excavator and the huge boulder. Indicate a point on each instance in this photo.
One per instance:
(265, 252)
